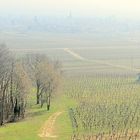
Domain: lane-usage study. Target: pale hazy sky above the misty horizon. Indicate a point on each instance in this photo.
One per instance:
(125, 8)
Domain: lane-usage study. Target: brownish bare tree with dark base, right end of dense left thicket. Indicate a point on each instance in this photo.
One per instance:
(21, 83)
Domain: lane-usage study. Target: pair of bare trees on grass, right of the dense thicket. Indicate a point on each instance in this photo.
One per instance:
(45, 75)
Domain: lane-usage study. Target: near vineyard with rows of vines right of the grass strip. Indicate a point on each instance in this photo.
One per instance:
(108, 107)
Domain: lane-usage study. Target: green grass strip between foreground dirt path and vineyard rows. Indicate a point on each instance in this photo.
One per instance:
(63, 127)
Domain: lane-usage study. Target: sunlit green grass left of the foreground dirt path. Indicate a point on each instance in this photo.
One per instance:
(24, 130)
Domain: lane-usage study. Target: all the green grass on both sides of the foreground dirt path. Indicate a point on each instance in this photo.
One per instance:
(28, 128)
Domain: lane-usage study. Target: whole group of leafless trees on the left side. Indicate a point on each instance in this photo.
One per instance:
(19, 76)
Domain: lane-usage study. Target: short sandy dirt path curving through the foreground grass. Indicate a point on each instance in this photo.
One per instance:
(48, 128)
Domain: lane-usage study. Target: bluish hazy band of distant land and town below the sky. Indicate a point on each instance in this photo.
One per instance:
(110, 25)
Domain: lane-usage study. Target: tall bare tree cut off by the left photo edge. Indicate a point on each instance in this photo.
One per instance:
(5, 71)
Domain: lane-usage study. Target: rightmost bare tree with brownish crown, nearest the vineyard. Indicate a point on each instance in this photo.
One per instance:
(49, 78)
